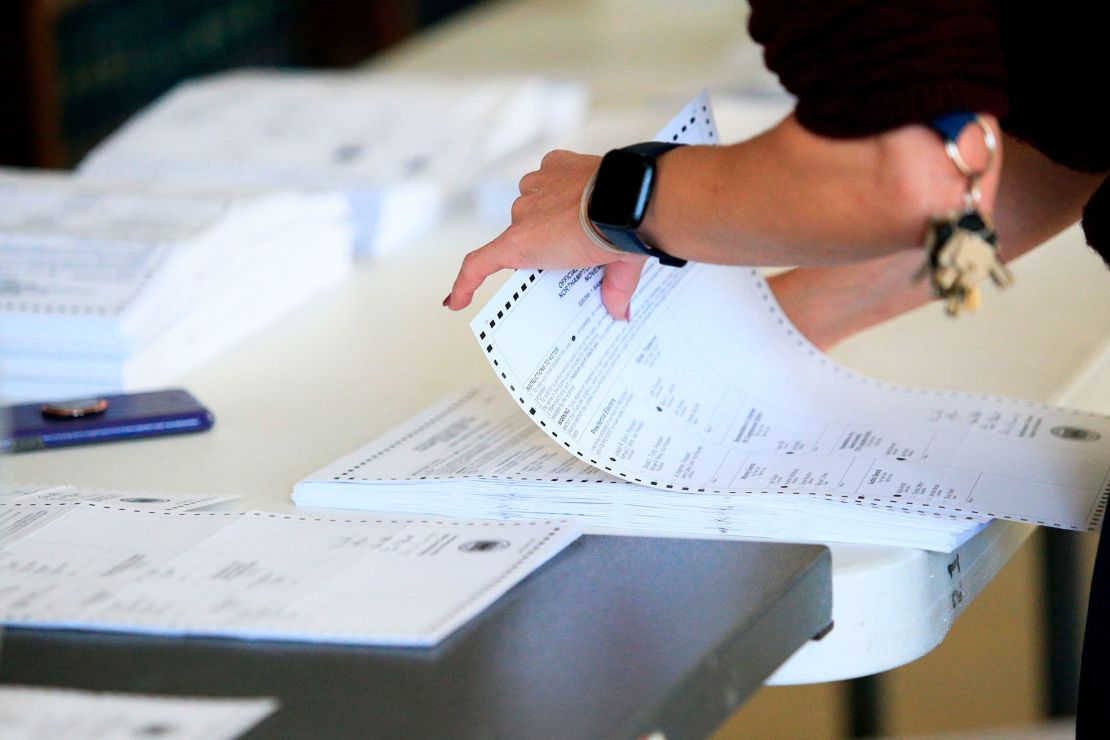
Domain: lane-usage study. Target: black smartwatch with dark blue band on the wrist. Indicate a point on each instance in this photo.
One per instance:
(617, 204)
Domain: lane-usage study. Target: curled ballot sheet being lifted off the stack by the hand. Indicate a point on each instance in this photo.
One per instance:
(710, 389)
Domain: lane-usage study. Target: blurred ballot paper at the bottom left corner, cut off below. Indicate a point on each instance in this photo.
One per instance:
(37, 714)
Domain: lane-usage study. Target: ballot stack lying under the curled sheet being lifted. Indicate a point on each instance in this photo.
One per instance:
(477, 455)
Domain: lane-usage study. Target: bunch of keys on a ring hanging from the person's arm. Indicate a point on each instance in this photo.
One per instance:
(962, 247)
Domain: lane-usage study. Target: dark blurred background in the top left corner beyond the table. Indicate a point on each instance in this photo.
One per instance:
(72, 72)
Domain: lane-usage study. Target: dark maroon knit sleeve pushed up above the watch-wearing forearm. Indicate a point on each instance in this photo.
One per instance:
(861, 67)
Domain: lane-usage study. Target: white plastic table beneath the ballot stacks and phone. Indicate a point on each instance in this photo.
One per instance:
(355, 363)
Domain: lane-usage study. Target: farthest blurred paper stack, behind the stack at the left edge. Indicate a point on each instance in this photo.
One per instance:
(400, 147)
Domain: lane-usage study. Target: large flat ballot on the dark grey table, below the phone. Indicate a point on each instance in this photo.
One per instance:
(255, 575)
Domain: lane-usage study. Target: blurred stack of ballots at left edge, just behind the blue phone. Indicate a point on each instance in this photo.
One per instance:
(118, 287)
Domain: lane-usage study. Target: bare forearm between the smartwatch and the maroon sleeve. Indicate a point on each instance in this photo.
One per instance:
(792, 198)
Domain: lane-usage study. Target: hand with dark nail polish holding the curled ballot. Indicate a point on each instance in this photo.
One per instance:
(547, 234)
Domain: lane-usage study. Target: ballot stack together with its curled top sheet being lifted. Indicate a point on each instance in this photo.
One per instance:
(725, 419)
